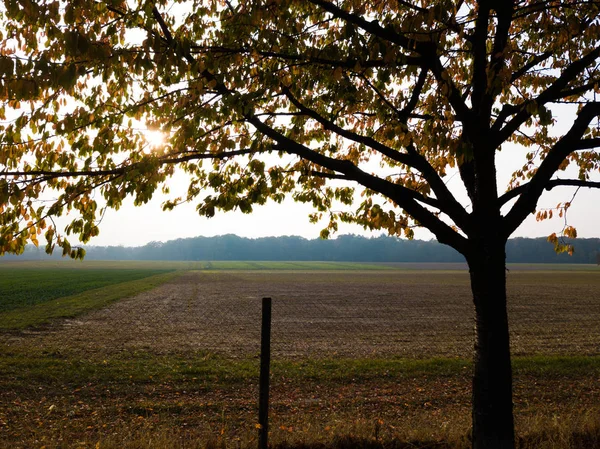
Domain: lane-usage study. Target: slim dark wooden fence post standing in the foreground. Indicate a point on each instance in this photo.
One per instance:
(265, 367)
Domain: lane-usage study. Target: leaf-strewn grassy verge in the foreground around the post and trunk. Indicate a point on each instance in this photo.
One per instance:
(141, 400)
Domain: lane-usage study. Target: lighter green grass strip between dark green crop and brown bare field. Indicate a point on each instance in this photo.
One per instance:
(75, 305)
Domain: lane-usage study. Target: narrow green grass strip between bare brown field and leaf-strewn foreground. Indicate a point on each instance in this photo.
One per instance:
(31, 365)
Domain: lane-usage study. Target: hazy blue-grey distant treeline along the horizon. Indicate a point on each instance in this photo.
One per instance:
(349, 248)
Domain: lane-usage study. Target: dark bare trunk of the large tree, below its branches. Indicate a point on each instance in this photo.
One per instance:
(493, 424)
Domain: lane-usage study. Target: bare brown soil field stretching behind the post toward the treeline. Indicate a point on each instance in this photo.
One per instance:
(334, 314)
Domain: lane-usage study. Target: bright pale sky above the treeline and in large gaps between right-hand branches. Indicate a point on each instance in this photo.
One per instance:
(136, 226)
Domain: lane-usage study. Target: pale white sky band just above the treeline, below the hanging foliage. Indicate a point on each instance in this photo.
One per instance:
(131, 226)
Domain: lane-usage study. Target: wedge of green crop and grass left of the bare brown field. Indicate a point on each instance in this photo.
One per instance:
(54, 306)
